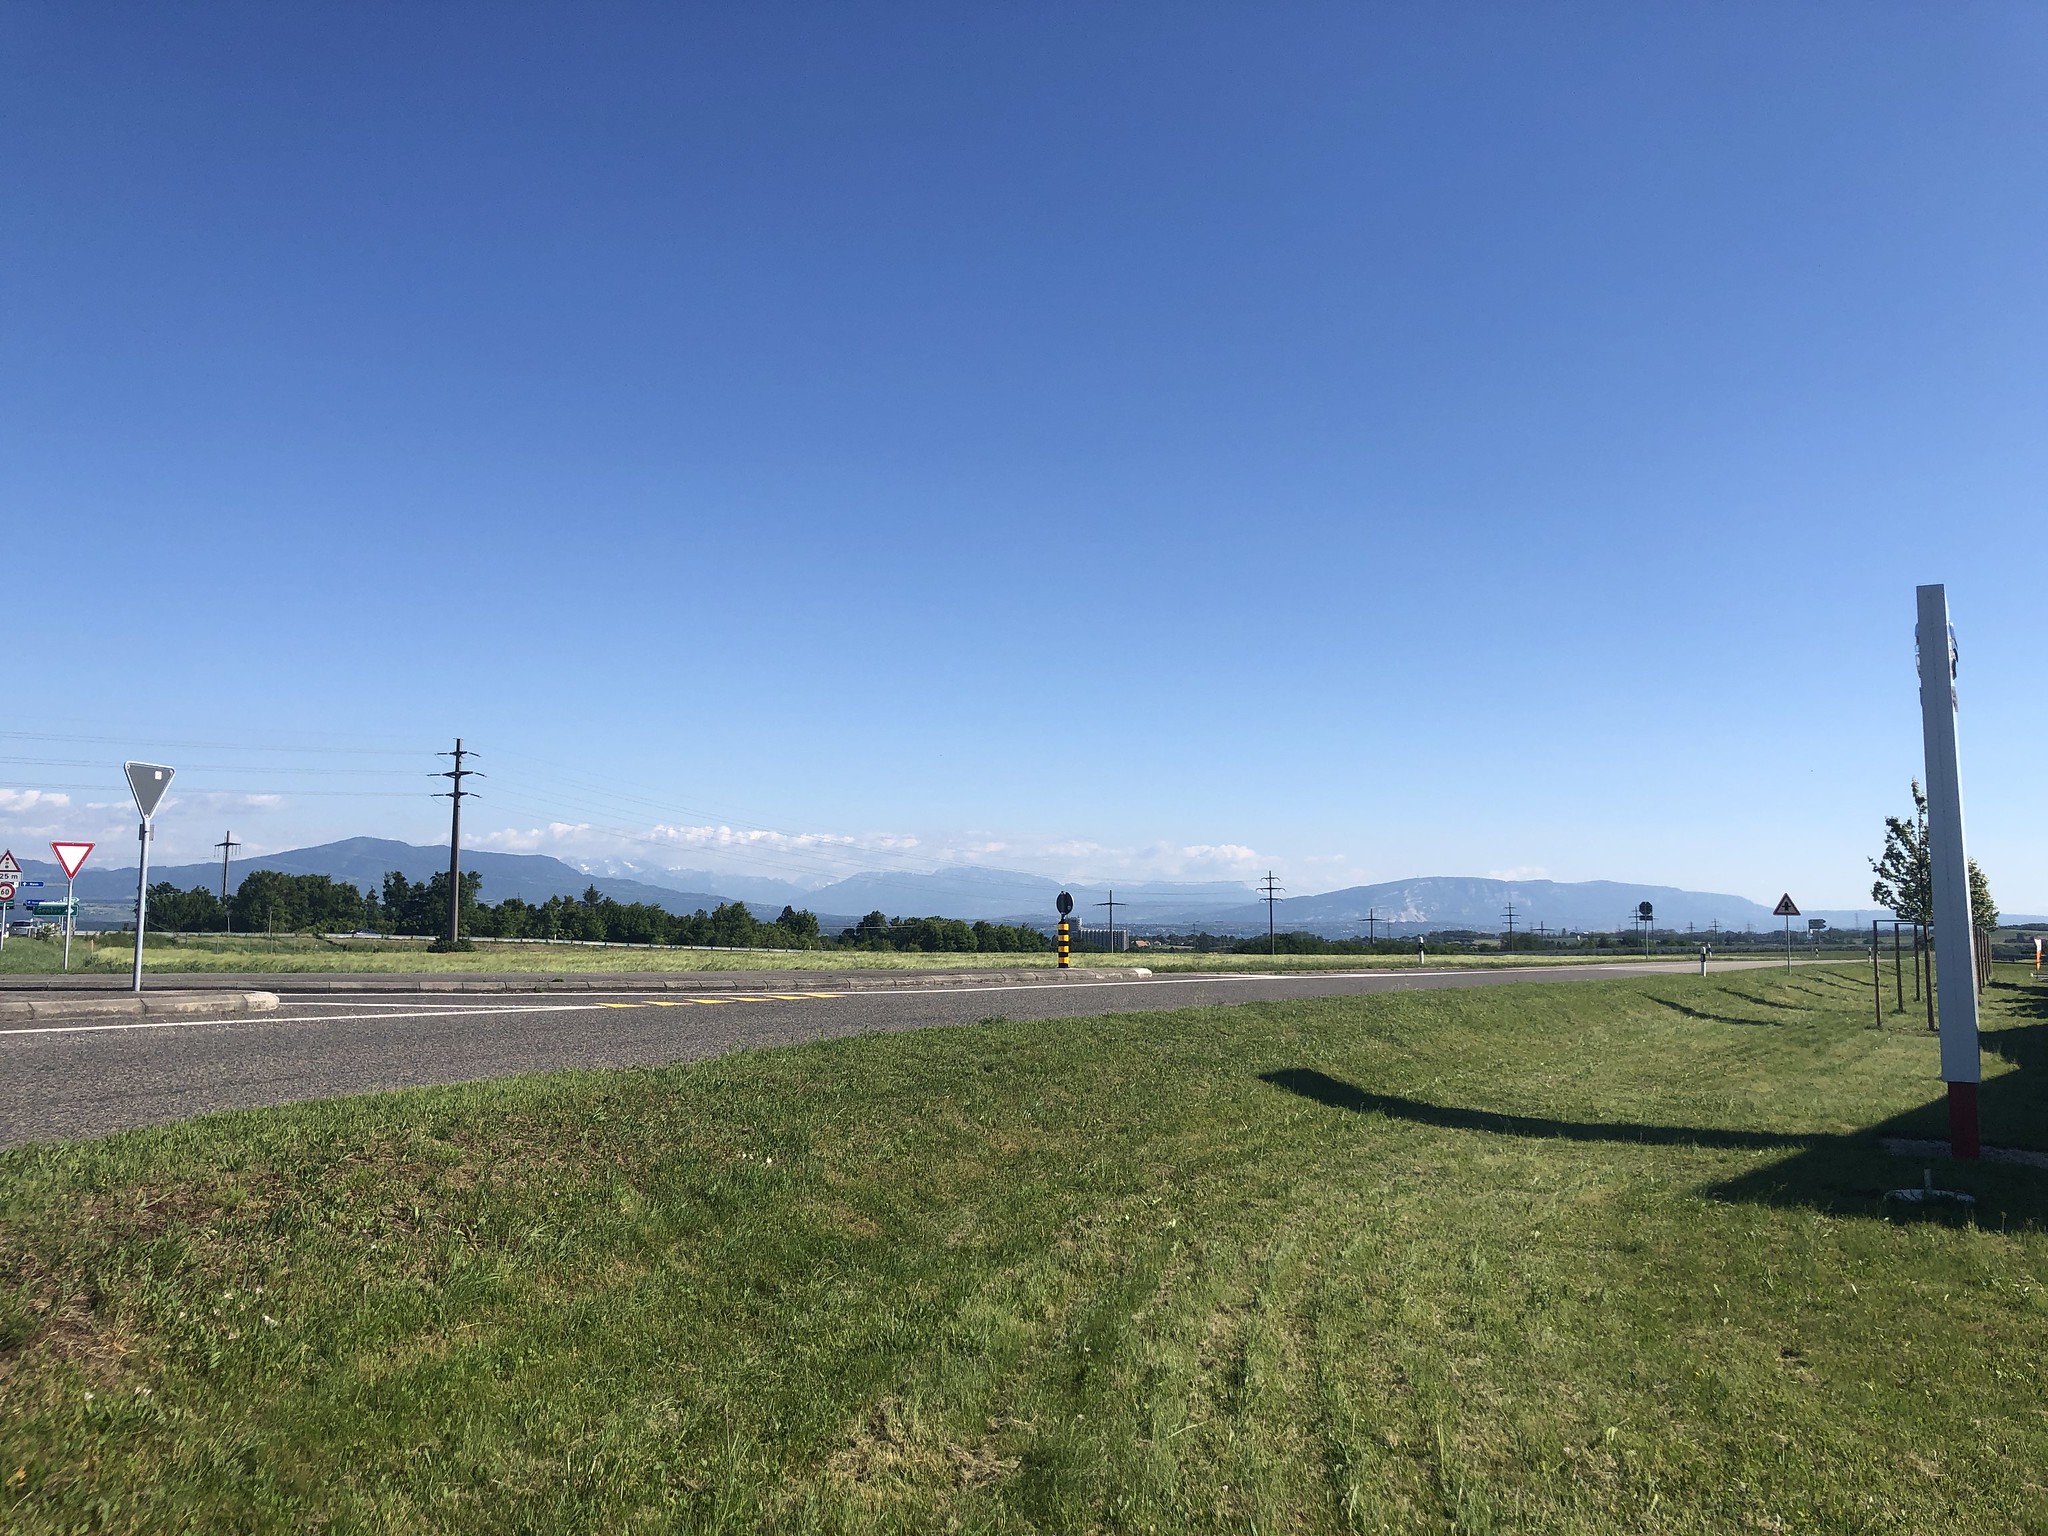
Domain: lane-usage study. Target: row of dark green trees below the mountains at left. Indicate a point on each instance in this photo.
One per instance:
(269, 902)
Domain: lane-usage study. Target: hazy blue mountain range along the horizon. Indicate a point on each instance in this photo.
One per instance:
(990, 894)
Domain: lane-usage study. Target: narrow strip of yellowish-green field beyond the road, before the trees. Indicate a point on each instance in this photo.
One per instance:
(257, 955)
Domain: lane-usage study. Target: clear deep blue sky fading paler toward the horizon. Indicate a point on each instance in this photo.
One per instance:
(1111, 441)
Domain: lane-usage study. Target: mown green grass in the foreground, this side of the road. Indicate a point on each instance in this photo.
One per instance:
(1568, 1258)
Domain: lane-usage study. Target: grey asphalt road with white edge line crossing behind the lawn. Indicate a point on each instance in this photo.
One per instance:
(81, 1078)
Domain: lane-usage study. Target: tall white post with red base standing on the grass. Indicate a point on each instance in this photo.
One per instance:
(1953, 921)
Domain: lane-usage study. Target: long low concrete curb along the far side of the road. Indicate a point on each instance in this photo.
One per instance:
(542, 982)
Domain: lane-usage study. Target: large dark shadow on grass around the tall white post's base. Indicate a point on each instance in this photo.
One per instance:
(1840, 1175)
